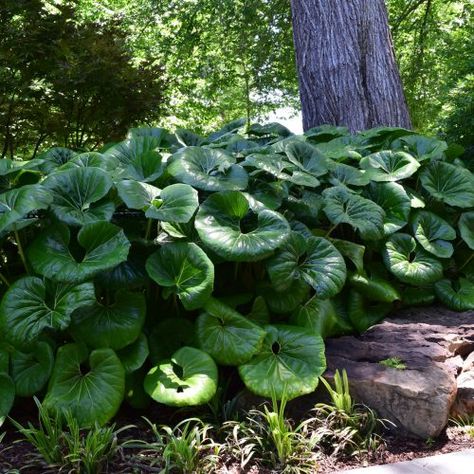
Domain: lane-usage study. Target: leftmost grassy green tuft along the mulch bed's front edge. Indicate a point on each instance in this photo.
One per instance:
(72, 449)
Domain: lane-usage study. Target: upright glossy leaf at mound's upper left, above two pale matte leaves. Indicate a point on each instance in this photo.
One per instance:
(138, 159)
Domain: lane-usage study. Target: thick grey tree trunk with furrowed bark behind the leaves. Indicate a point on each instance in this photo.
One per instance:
(346, 65)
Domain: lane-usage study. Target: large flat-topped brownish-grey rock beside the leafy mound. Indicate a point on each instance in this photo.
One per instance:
(434, 344)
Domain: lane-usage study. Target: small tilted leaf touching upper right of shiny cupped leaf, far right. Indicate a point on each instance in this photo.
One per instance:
(433, 233)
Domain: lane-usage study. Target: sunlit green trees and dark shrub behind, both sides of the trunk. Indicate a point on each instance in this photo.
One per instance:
(80, 73)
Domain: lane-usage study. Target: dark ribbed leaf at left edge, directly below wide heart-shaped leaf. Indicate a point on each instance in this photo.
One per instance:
(32, 305)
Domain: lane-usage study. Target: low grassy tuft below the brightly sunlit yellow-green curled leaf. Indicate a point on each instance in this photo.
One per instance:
(186, 448)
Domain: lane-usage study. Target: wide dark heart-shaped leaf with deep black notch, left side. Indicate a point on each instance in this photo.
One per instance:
(100, 246)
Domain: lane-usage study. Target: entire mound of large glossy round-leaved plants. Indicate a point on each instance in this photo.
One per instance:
(147, 270)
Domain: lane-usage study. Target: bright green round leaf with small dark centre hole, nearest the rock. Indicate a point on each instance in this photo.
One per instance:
(288, 365)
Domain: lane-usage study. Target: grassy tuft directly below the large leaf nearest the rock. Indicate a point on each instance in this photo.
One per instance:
(266, 437)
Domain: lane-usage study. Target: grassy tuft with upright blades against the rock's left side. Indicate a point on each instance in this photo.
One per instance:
(343, 427)
